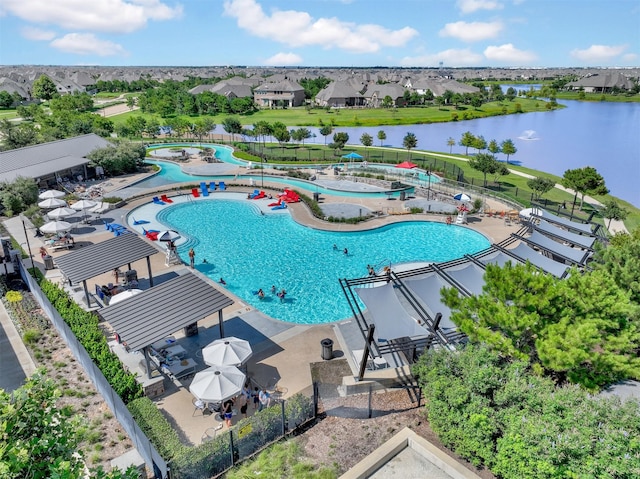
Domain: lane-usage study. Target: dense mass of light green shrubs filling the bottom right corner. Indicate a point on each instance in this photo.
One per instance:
(497, 414)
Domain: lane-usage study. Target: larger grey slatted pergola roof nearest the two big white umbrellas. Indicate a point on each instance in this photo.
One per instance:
(162, 310)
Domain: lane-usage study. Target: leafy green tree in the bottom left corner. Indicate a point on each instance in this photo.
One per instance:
(41, 441)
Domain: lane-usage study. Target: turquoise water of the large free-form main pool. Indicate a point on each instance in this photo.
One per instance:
(251, 251)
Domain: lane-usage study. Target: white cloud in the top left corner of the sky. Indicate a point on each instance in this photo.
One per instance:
(116, 16)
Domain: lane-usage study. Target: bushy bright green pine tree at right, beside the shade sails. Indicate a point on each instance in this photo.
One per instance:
(580, 328)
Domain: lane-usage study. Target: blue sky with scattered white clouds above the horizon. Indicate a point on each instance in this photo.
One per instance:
(321, 33)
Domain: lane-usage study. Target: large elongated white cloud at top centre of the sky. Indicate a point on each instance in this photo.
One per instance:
(298, 29)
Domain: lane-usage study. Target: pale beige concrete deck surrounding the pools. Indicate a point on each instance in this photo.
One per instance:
(282, 351)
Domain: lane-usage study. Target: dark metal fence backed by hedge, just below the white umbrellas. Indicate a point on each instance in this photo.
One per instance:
(221, 451)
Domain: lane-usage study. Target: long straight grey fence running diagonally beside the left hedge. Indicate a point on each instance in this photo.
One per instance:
(115, 403)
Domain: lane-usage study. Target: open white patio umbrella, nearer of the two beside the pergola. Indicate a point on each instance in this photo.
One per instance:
(217, 384)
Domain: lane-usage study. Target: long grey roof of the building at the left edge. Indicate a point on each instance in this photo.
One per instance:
(38, 160)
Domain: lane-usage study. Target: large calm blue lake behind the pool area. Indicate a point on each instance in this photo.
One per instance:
(604, 135)
